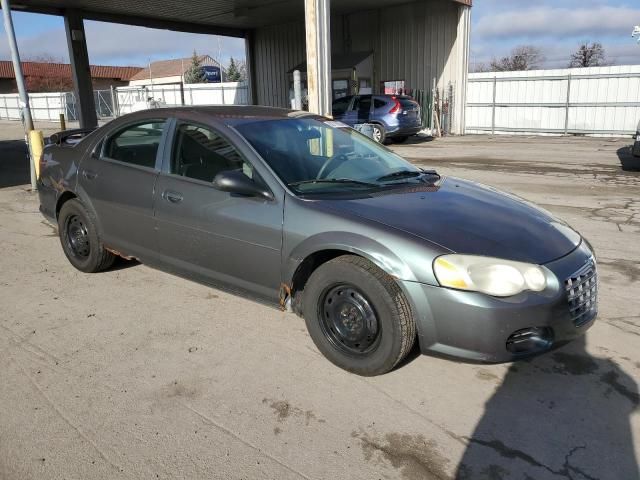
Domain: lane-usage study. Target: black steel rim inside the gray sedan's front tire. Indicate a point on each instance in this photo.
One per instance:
(348, 320)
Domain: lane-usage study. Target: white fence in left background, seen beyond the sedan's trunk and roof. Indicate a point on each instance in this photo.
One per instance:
(49, 106)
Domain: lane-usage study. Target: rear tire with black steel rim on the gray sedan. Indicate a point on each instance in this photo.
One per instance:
(80, 240)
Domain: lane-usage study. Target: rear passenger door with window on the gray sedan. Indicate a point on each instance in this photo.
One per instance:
(119, 179)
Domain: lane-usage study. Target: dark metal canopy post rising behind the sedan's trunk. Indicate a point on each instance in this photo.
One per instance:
(80, 69)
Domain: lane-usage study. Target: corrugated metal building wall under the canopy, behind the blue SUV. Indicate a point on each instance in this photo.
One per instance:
(415, 42)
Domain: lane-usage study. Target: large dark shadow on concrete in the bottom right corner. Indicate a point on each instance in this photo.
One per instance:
(562, 415)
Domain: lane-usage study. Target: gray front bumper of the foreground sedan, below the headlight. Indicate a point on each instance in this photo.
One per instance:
(477, 327)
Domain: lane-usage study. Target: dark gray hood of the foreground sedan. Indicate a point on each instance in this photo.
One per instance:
(466, 217)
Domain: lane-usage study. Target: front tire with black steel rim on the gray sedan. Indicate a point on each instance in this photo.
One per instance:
(357, 316)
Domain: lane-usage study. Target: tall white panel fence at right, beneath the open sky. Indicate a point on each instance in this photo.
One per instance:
(602, 101)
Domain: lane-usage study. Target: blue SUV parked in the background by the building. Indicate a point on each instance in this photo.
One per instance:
(393, 117)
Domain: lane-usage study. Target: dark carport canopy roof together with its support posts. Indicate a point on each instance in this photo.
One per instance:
(235, 18)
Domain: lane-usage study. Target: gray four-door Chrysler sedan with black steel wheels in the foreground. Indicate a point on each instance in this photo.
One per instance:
(293, 209)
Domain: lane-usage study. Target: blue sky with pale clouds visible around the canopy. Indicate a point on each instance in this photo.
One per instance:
(557, 27)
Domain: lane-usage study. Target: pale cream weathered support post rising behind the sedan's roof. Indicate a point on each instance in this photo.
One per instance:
(317, 25)
